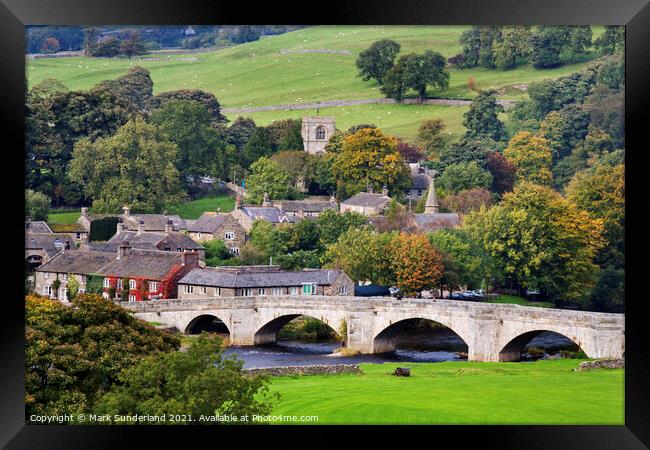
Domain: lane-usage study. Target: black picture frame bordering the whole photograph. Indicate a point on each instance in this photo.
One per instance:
(634, 14)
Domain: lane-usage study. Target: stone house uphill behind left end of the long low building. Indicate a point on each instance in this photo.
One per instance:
(223, 226)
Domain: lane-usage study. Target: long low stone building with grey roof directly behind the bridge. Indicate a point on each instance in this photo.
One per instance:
(247, 281)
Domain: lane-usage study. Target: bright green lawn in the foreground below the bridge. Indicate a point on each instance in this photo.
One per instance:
(543, 392)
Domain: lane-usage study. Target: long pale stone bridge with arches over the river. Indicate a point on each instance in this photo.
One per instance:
(492, 332)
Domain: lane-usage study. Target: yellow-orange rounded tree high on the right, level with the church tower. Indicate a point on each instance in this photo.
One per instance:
(532, 157)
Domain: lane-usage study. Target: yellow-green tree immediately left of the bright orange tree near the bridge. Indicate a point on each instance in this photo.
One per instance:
(363, 255)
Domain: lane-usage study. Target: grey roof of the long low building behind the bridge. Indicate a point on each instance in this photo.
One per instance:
(226, 277)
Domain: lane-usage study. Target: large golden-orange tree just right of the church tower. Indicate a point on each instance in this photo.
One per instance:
(369, 158)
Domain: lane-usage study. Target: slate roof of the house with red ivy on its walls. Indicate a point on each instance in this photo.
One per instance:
(141, 263)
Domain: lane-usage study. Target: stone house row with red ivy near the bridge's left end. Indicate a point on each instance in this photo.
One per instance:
(128, 274)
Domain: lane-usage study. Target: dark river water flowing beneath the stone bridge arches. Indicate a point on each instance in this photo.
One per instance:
(435, 346)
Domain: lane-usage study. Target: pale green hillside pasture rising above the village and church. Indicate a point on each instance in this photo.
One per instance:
(304, 66)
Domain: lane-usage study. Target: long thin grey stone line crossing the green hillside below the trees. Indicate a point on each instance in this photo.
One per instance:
(368, 101)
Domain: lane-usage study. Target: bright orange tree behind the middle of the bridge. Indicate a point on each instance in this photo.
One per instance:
(417, 265)
